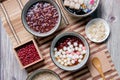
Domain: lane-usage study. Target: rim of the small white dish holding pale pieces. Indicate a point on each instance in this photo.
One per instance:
(106, 26)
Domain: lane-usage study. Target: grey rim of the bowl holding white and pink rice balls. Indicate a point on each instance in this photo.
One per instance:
(73, 68)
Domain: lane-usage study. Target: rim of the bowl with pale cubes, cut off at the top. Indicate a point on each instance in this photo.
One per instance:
(84, 15)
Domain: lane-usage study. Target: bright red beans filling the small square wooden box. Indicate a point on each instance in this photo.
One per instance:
(27, 54)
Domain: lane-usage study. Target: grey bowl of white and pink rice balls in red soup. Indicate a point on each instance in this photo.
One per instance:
(69, 51)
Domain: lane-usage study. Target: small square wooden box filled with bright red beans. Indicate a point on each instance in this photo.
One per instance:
(28, 54)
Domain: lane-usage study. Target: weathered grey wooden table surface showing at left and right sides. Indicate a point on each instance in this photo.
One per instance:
(108, 9)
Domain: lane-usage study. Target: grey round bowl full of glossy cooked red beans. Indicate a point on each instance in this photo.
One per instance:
(41, 17)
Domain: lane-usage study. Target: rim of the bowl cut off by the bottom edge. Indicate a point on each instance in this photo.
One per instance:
(31, 75)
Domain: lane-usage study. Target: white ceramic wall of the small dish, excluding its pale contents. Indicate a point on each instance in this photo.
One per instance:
(106, 28)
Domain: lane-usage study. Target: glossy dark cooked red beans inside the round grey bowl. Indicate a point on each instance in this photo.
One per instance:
(42, 14)
